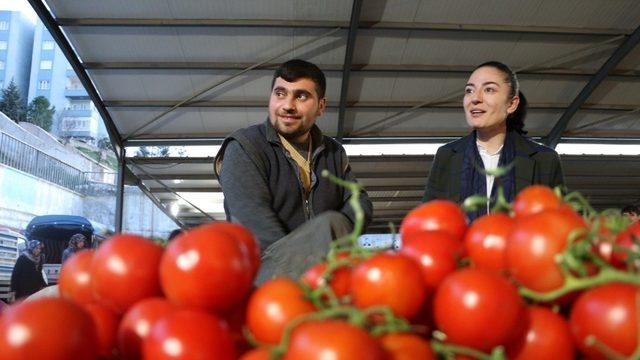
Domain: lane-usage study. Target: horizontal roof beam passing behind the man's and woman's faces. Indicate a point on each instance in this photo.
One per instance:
(352, 104)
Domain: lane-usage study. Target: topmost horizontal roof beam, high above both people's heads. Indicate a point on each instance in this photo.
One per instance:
(386, 25)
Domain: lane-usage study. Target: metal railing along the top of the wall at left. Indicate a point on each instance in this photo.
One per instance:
(24, 157)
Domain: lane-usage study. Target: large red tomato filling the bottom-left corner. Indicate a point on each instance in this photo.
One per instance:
(47, 328)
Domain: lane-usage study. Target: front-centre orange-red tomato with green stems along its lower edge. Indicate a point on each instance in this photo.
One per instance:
(389, 279)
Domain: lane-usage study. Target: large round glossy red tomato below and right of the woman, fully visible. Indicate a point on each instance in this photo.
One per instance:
(478, 308)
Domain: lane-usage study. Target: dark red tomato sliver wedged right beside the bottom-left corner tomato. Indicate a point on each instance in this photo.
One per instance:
(106, 323)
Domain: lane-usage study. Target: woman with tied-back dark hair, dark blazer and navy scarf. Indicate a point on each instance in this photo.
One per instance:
(495, 108)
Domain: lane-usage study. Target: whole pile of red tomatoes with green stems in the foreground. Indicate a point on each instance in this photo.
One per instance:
(538, 281)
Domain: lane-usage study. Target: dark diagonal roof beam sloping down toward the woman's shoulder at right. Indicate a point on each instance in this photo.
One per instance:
(553, 138)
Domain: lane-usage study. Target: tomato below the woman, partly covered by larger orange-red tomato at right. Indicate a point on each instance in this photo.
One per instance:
(486, 240)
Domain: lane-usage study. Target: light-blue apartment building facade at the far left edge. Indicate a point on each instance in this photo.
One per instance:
(16, 42)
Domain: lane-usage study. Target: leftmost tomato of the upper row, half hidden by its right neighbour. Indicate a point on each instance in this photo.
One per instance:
(74, 282)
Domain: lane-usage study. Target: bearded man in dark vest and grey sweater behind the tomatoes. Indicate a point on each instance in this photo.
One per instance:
(271, 176)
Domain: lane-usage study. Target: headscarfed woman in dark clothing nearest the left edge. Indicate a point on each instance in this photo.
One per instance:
(26, 277)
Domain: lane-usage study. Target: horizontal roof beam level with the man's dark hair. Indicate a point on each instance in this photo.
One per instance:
(445, 69)
